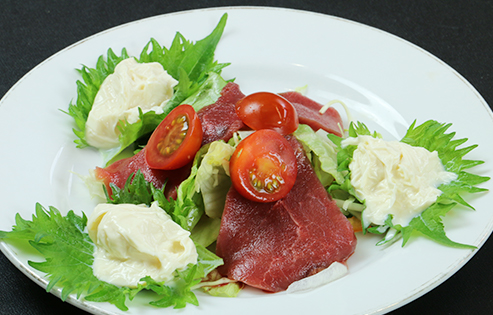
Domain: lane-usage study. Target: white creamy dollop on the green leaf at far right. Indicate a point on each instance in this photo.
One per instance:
(395, 178)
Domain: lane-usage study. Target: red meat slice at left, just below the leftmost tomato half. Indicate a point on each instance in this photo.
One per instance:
(119, 171)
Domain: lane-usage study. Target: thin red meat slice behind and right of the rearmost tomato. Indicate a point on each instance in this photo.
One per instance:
(309, 113)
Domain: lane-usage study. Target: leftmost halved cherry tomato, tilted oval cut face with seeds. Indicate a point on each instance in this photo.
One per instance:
(176, 140)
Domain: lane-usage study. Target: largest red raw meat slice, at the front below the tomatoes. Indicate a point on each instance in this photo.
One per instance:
(271, 245)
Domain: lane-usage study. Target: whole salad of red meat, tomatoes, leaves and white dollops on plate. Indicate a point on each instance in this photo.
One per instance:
(206, 188)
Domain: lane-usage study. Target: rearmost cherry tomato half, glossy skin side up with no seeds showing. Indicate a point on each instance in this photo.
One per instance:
(265, 110)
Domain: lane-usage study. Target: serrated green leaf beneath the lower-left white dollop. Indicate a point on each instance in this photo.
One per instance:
(69, 255)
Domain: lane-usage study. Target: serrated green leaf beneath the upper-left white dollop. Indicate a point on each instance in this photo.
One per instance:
(192, 64)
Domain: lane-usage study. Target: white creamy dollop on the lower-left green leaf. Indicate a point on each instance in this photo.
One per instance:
(134, 241)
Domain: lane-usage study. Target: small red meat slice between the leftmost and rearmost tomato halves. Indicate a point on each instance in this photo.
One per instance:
(219, 120)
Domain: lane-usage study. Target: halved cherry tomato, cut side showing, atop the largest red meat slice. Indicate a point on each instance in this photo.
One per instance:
(263, 167)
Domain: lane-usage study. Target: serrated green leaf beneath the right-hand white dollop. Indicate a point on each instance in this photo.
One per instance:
(432, 136)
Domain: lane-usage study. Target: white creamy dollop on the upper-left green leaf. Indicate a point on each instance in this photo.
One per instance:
(132, 85)
